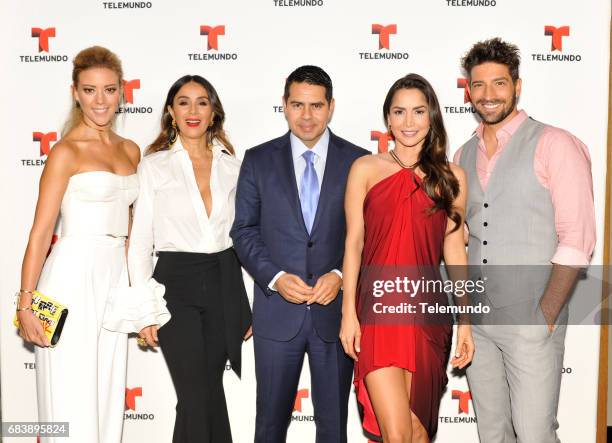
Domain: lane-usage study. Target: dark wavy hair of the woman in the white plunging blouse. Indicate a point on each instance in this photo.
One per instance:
(215, 132)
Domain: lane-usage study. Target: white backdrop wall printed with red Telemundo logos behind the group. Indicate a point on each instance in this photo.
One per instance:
(247, 49)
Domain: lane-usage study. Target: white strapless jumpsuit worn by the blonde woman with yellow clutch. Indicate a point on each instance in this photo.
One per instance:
(82, 379)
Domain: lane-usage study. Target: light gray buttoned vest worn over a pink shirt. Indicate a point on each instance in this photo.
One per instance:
(512, 223)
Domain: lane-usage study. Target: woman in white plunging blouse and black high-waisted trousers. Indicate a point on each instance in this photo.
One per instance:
(183, 215)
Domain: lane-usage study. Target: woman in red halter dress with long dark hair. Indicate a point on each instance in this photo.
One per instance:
(404, 213)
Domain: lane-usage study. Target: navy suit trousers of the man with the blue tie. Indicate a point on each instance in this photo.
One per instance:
(278, 365)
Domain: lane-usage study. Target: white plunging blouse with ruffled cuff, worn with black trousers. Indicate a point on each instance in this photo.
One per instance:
(169, 215)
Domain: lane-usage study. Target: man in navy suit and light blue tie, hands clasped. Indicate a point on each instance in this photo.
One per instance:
(289, 233)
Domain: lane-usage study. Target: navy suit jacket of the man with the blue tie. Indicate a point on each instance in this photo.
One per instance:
(270, 236)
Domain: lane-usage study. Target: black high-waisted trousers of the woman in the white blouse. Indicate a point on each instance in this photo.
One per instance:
(194, 346)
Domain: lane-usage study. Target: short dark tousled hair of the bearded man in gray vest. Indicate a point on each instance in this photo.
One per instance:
(493, 50)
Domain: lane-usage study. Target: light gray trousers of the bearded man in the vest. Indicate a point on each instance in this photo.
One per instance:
(515, 379)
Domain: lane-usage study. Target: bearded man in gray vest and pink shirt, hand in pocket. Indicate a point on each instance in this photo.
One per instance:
(531, 223)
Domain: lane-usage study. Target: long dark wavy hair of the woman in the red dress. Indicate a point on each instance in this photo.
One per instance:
(439, 183)
